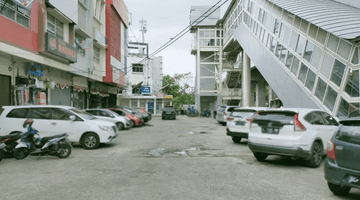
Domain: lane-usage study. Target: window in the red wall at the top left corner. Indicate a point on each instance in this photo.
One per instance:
(15, 13)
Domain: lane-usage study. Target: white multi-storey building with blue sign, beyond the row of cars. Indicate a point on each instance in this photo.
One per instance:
(144, 80)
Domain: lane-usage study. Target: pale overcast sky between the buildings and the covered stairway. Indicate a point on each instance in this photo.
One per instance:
(165, 19)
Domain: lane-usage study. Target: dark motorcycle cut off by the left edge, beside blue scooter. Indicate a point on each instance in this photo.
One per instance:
(8, 143)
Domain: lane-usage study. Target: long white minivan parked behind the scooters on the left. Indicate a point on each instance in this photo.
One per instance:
(52, 120)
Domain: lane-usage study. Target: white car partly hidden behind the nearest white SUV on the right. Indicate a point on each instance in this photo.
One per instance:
(238, 122)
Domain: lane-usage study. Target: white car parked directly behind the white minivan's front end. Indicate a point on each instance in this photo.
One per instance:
(121, 122)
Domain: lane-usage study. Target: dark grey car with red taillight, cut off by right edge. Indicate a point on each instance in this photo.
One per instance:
(342, 166)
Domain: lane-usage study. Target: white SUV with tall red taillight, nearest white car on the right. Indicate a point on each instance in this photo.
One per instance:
(297, 132)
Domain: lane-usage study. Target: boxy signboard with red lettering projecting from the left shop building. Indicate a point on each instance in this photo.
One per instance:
(60, 48)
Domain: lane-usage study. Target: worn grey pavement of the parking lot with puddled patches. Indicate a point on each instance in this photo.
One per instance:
(186, 158)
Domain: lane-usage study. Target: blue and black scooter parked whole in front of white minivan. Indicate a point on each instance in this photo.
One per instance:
(57, 145)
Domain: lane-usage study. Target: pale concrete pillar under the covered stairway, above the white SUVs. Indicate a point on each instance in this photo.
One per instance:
(246, 80)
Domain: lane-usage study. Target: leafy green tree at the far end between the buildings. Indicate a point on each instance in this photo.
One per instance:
(178, 86)
